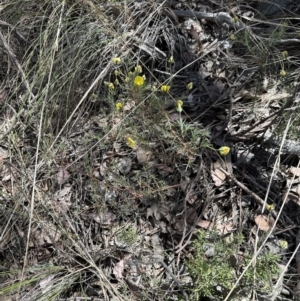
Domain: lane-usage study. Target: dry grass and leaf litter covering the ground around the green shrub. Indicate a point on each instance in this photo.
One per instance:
(77, 170)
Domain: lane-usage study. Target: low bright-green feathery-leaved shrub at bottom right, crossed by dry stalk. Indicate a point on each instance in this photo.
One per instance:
(216, 266)
